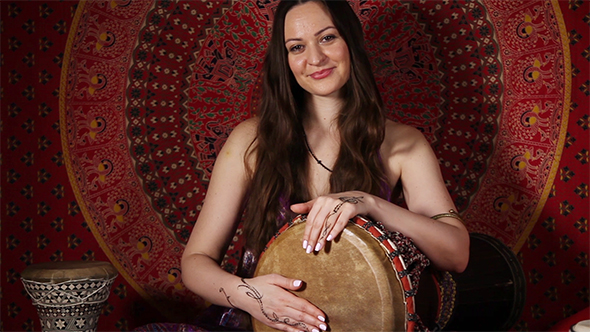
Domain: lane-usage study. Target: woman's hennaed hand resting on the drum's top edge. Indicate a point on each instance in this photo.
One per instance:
(328, 215)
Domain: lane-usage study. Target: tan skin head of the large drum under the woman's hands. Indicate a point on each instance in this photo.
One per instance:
(352, 280)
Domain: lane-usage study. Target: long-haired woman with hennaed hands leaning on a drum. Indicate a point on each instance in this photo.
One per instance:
(320, 146)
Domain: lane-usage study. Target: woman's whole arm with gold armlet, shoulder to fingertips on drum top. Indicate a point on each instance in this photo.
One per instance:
(407, 157)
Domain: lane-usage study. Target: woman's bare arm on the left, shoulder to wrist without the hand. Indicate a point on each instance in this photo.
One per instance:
(218, 220)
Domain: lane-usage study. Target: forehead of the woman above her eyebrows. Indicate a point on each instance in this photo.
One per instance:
(306, 18)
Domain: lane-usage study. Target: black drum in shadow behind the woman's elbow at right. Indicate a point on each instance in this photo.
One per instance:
(488, 296)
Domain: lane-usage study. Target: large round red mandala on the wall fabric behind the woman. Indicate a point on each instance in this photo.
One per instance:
(151, 91)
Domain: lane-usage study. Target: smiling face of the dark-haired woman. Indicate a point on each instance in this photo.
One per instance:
(317, 54)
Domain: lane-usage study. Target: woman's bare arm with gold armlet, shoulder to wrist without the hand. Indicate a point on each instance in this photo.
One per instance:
(445, 241)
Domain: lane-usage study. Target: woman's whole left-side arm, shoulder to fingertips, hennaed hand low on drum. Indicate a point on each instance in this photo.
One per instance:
(265, 297)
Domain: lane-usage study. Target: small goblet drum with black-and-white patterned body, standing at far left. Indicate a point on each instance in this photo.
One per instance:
(69, 296)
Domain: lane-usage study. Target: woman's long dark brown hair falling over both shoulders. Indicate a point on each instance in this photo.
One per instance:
(280, 173)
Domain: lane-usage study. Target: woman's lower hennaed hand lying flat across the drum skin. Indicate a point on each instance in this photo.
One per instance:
(267, 299)
